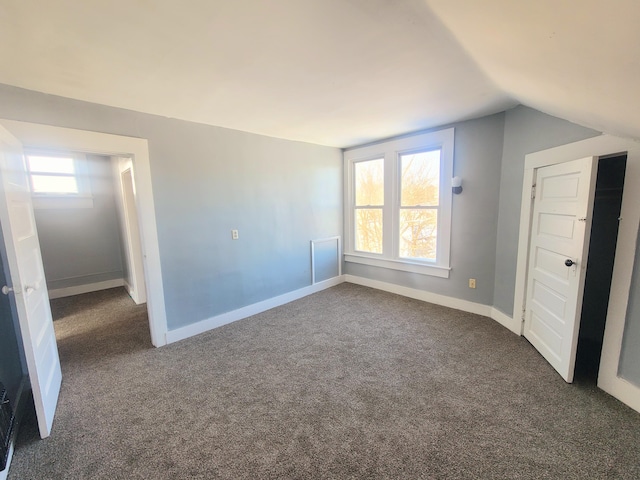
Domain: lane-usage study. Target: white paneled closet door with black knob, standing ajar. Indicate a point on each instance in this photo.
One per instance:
(560, 233)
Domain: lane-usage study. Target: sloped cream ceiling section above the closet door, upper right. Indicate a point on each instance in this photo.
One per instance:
(574, 59)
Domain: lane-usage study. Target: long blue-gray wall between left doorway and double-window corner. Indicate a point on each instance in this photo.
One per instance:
(207, 180)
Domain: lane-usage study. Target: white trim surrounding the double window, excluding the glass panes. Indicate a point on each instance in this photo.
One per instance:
(390, 151)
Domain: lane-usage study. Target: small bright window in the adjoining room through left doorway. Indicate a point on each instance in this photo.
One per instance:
(58, 180)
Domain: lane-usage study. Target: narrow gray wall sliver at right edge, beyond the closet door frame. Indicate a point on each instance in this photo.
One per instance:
(630, 356)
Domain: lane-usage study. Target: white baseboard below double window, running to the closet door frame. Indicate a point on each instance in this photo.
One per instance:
(444, 300)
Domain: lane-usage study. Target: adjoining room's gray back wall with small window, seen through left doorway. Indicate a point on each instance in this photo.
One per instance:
(79, 223)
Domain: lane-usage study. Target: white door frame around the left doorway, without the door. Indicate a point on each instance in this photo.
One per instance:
(50, 137)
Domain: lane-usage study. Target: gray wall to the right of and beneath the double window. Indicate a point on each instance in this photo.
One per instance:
(477, 156)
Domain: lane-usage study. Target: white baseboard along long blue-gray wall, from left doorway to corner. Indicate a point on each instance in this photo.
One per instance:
(244, 312)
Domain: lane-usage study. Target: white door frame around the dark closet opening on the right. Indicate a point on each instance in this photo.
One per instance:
(603, 145)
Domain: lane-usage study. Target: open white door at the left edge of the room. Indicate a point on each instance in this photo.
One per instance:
(28, 282)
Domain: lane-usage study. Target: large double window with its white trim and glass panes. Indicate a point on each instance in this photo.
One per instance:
(398, 202)
